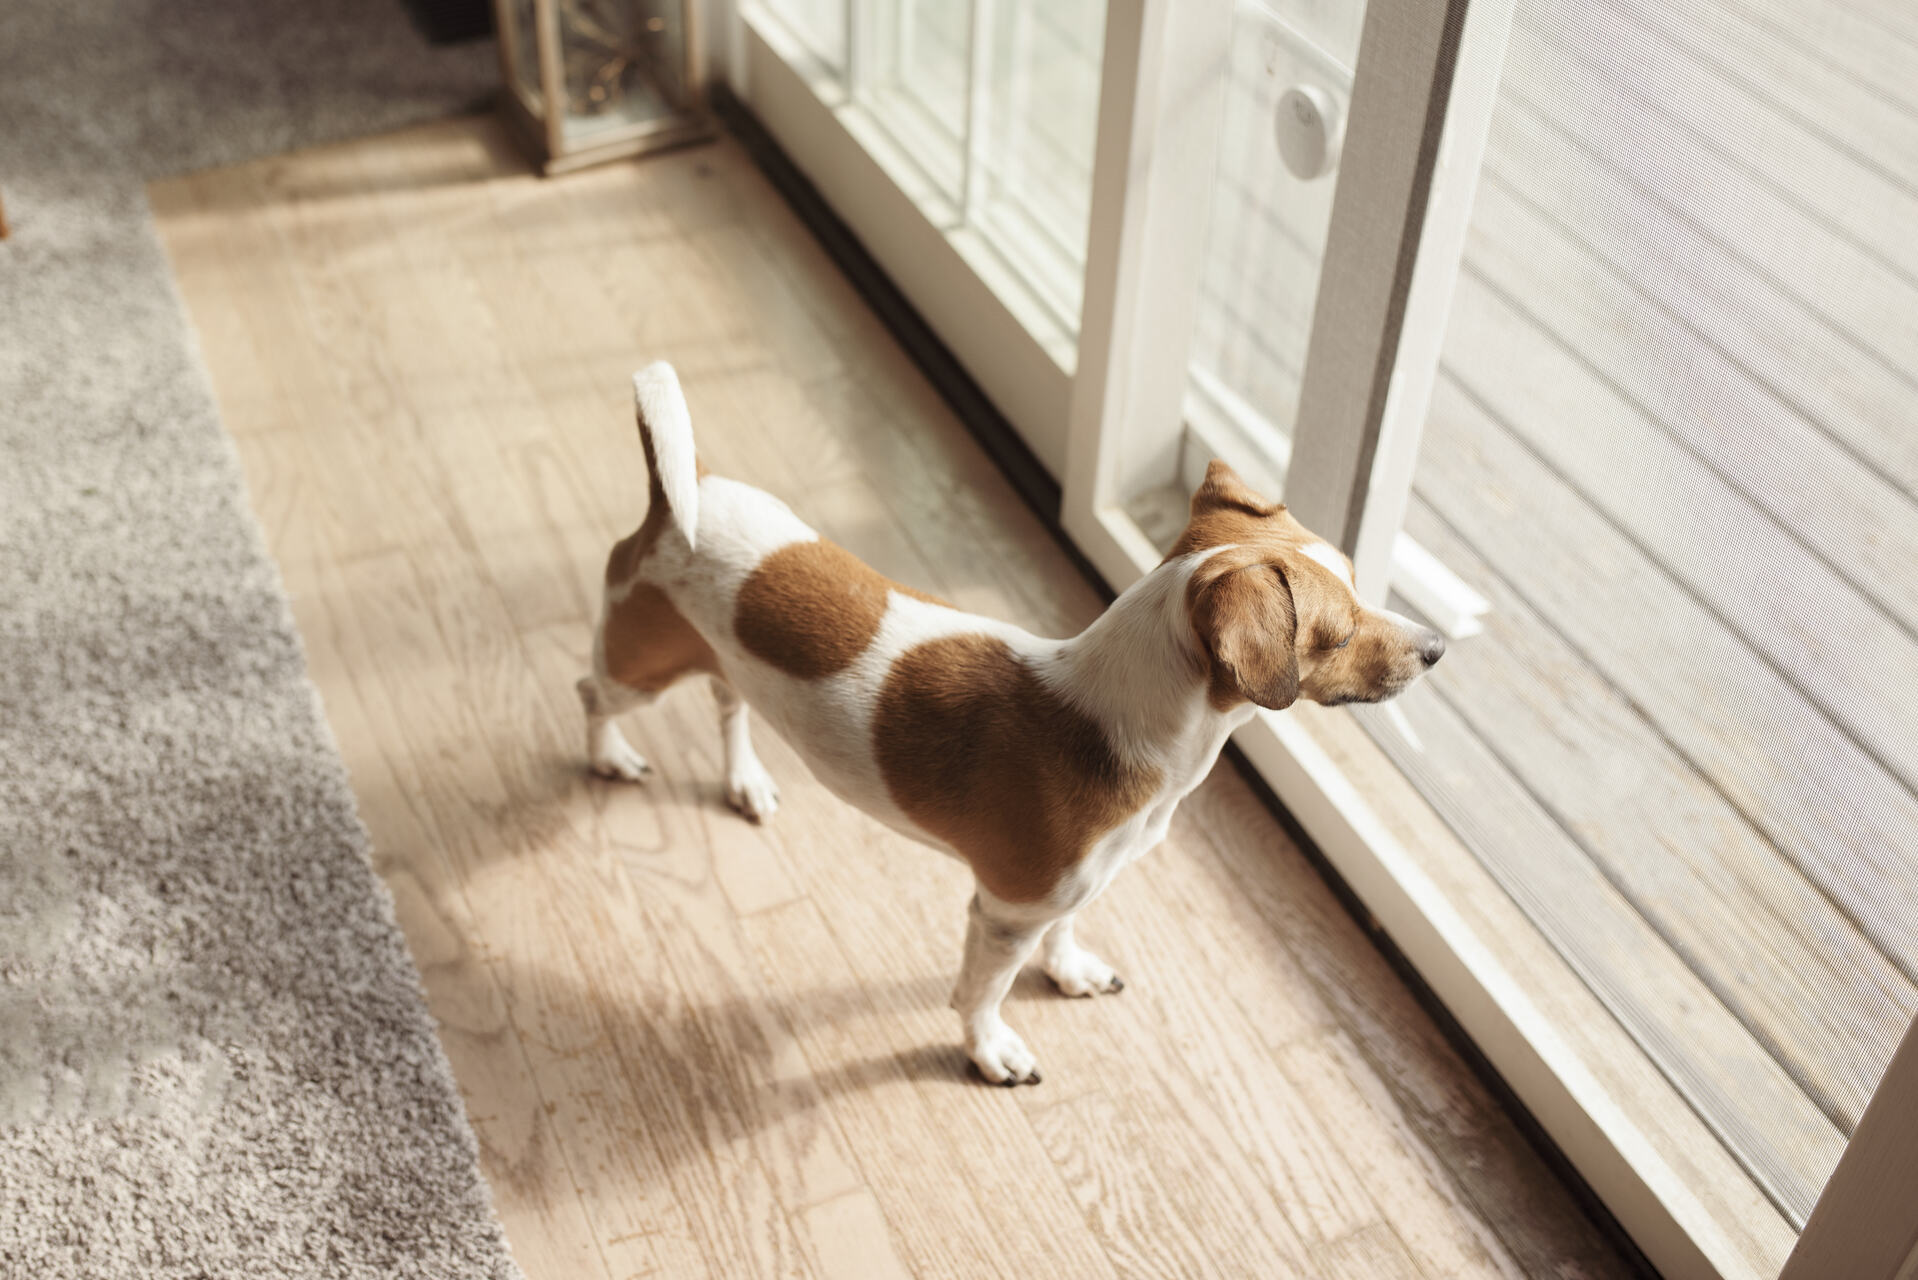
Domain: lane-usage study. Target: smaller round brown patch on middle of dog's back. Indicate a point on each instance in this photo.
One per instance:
(810, 609)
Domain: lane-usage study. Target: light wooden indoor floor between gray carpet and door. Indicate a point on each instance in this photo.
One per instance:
(693, 1047)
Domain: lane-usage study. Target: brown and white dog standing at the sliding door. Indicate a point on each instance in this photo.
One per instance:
(1042, 765)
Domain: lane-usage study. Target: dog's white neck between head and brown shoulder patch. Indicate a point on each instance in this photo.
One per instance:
(1140, 671)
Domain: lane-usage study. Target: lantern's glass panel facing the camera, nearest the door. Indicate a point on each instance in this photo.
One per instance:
(624, 64)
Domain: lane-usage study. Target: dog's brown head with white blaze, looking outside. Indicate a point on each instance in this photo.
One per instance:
(1276, 613)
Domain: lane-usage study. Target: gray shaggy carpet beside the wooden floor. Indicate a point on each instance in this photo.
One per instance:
(214, 1051)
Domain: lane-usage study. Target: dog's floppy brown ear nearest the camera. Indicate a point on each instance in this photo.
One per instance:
(1250, 630)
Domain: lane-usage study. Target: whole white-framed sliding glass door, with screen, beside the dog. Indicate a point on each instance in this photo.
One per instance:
(1587, 331)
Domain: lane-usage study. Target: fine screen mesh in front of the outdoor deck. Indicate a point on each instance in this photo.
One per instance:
(1673, 446)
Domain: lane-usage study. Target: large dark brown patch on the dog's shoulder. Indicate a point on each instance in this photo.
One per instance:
(991, 761)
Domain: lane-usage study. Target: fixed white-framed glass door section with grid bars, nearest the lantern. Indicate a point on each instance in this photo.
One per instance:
(956, 139)
